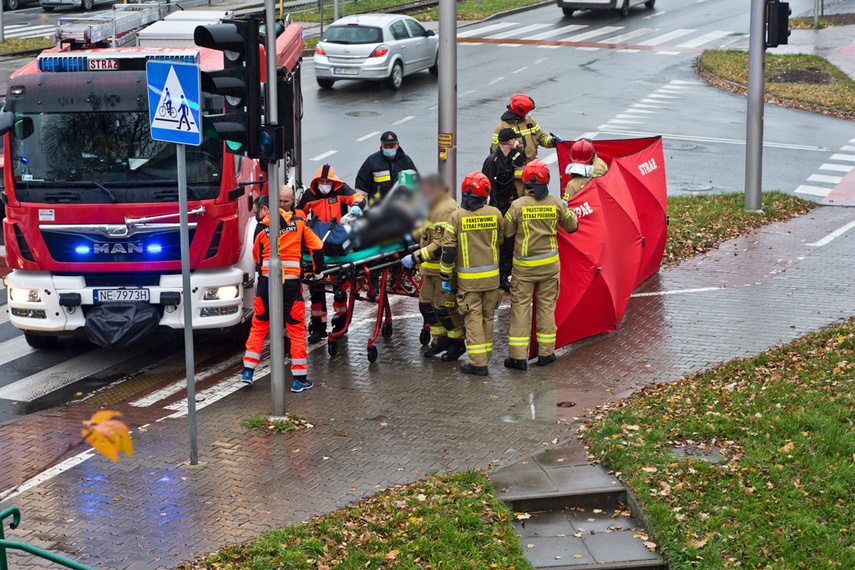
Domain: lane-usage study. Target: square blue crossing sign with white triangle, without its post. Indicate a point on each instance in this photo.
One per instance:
(173, 102)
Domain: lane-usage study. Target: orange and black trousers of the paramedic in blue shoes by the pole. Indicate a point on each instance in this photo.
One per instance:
(295, 324)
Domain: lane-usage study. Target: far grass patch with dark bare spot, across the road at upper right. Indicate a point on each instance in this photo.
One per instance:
(795, 80)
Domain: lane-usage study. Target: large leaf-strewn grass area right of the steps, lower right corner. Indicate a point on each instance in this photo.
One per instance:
(781, 425)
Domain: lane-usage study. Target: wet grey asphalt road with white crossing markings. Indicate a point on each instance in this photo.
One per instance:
(598, 92)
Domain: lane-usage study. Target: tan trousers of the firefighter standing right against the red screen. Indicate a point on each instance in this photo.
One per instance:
(545, 291)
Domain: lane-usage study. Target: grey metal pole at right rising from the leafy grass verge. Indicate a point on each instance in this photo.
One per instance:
(756, 88)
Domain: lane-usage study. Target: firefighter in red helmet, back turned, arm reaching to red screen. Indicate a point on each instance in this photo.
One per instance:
(534, 220)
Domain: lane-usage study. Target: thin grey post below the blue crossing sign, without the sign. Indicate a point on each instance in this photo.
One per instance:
(189, 358)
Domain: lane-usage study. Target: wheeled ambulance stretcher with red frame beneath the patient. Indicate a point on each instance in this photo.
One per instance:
(366, 275)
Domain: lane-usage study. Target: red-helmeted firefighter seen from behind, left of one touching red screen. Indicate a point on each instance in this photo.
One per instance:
(470, 249)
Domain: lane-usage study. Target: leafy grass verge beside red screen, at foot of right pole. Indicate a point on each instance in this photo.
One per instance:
(700, 223)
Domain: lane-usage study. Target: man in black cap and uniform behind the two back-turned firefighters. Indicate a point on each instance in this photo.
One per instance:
(504, 167)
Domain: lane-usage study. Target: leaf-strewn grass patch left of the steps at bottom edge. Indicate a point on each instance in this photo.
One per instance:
(455, 521)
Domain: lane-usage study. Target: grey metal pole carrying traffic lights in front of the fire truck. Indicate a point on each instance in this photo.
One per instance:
(277, 317)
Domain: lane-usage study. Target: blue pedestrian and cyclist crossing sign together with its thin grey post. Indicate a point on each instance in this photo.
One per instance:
(174, 96)
